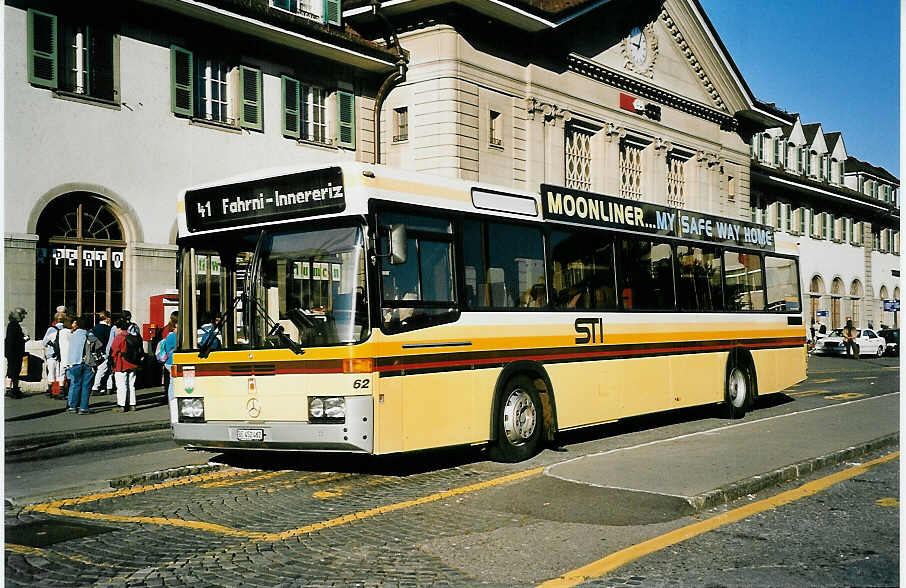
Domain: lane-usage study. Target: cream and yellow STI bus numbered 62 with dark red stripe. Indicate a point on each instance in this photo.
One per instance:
(361, 308)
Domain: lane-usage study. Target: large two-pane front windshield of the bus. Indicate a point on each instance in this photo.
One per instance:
(305, 288)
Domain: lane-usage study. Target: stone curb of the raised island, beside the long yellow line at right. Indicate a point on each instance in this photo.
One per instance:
(731, 492)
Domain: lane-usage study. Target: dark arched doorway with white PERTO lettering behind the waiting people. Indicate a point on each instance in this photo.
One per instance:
(80, 256)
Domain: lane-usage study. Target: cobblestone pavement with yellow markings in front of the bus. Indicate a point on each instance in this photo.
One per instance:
(257, 528)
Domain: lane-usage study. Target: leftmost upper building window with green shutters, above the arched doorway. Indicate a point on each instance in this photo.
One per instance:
(83, 52)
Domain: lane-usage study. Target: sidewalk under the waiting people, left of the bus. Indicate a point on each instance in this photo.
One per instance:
(36, 426)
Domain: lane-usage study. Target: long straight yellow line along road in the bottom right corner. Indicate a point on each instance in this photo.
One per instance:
(630, 554)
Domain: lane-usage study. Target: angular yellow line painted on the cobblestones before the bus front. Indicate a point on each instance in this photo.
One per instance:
(54, 508)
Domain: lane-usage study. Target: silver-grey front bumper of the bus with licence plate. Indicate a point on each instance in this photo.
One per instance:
(355, 435)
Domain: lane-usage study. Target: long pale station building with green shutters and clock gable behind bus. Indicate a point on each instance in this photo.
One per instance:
(113, 109)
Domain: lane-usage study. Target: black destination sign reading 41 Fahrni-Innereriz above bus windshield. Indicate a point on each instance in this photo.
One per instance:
(268, 199)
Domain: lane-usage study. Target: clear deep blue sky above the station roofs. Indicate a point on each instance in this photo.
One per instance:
(835, 62)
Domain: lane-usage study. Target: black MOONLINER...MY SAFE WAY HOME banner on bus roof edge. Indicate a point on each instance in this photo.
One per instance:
(587, 208)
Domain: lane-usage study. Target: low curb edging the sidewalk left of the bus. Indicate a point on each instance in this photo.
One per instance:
(71, 443)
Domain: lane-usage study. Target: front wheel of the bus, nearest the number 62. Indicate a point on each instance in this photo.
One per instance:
(520, 421)
